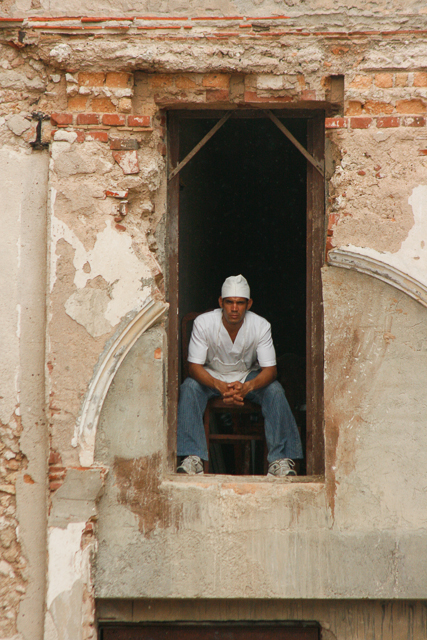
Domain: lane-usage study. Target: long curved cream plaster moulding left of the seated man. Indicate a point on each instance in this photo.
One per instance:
(85, 433)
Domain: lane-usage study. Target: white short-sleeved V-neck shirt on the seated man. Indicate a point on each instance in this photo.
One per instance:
(211, 346)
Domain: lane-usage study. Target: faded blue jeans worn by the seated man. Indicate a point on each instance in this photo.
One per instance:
(281, 431)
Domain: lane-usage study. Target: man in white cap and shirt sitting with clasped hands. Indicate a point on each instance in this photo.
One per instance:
(231, 354)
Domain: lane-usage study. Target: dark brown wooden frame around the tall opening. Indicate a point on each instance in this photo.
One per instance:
(315, 446)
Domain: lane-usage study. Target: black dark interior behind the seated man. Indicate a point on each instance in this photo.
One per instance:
(242, 209)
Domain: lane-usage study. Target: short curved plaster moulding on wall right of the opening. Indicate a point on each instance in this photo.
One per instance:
(380, 270)
